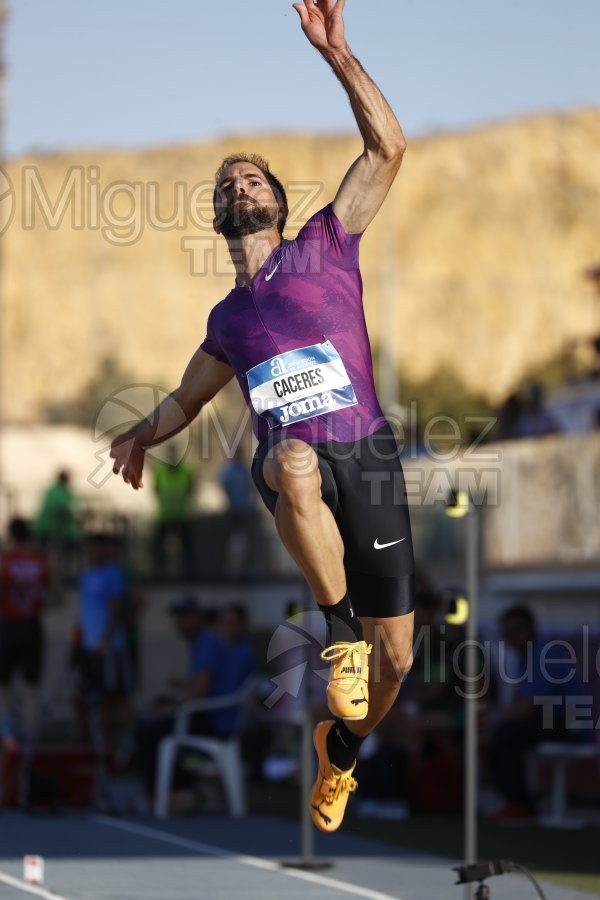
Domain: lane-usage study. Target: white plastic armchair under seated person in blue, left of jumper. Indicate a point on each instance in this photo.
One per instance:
(224, 753)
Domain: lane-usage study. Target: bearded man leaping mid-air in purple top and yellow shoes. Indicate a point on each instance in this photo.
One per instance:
(293, 333)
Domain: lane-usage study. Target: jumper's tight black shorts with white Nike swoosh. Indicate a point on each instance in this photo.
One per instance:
(363, 485)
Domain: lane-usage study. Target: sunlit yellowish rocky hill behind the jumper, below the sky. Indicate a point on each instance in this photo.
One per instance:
(474, 266)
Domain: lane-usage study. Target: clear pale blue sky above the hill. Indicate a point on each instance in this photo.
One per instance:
(143, 73)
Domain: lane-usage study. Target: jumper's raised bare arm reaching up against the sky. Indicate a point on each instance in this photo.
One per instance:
(370, 177)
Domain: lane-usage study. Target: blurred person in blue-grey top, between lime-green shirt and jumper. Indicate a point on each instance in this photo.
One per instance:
(236, 481)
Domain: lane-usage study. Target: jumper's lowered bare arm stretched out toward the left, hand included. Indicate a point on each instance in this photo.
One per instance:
(203, 378)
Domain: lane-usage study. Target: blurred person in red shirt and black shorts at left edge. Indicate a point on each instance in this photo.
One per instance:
(25, 588)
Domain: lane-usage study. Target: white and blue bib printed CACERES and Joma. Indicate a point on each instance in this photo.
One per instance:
(300, 384)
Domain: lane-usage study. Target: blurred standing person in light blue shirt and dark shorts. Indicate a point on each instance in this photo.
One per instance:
(102, 658)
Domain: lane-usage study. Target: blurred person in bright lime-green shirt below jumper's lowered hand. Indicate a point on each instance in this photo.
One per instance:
(175, 488)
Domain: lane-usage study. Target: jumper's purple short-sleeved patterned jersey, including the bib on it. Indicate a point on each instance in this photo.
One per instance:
(297, 340)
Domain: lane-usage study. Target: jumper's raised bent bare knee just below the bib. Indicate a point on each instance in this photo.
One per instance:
(292, 470)
